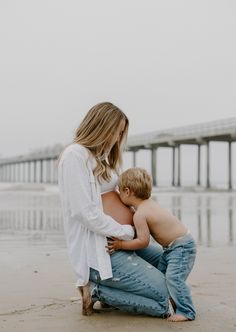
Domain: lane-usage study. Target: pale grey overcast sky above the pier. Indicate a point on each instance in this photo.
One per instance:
(164, 63)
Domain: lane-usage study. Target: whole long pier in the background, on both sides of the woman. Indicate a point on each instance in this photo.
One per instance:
(41, 166)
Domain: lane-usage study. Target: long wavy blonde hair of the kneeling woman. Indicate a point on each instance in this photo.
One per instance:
(95, 133)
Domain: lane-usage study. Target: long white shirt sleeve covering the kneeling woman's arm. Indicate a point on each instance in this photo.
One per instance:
(77, 194)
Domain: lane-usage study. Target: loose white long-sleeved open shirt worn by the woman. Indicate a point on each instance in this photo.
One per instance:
(86, 226)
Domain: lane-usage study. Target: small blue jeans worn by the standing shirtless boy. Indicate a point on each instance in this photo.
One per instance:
(176, 263)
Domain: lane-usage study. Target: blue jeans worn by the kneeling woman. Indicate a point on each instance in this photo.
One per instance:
(137, 286)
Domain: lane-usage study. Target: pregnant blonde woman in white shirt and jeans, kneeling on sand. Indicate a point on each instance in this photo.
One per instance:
(88, 170)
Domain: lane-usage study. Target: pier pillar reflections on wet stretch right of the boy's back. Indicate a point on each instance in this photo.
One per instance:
(209, 216)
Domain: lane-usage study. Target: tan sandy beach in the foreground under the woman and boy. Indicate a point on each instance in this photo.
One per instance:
(38, 293)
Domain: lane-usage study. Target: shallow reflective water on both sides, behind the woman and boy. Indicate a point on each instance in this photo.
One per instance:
(35, 217)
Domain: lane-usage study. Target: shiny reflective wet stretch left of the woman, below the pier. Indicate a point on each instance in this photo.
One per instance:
(31, 216)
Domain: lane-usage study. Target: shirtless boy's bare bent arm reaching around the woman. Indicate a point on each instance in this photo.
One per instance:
(141, 241)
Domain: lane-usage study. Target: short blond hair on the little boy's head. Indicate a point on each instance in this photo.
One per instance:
(138, 181)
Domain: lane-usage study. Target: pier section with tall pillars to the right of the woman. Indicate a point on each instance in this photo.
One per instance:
(195, 135)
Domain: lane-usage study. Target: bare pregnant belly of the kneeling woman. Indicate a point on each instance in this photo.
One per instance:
(113, 206)
